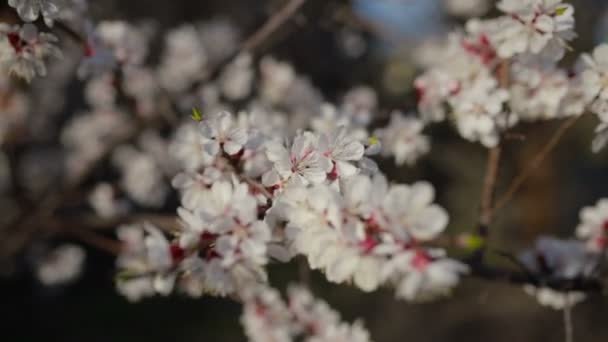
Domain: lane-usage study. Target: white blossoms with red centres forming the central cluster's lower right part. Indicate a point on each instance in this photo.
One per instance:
(369, 234)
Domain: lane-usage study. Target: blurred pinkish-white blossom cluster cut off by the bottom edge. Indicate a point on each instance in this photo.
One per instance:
(266, 317)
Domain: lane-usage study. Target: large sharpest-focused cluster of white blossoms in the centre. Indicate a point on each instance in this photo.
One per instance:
(250, 197)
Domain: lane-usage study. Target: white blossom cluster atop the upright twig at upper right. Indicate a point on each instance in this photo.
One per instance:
(504, 70)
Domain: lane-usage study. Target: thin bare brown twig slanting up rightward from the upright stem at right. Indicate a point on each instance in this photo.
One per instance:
(534, 164)
